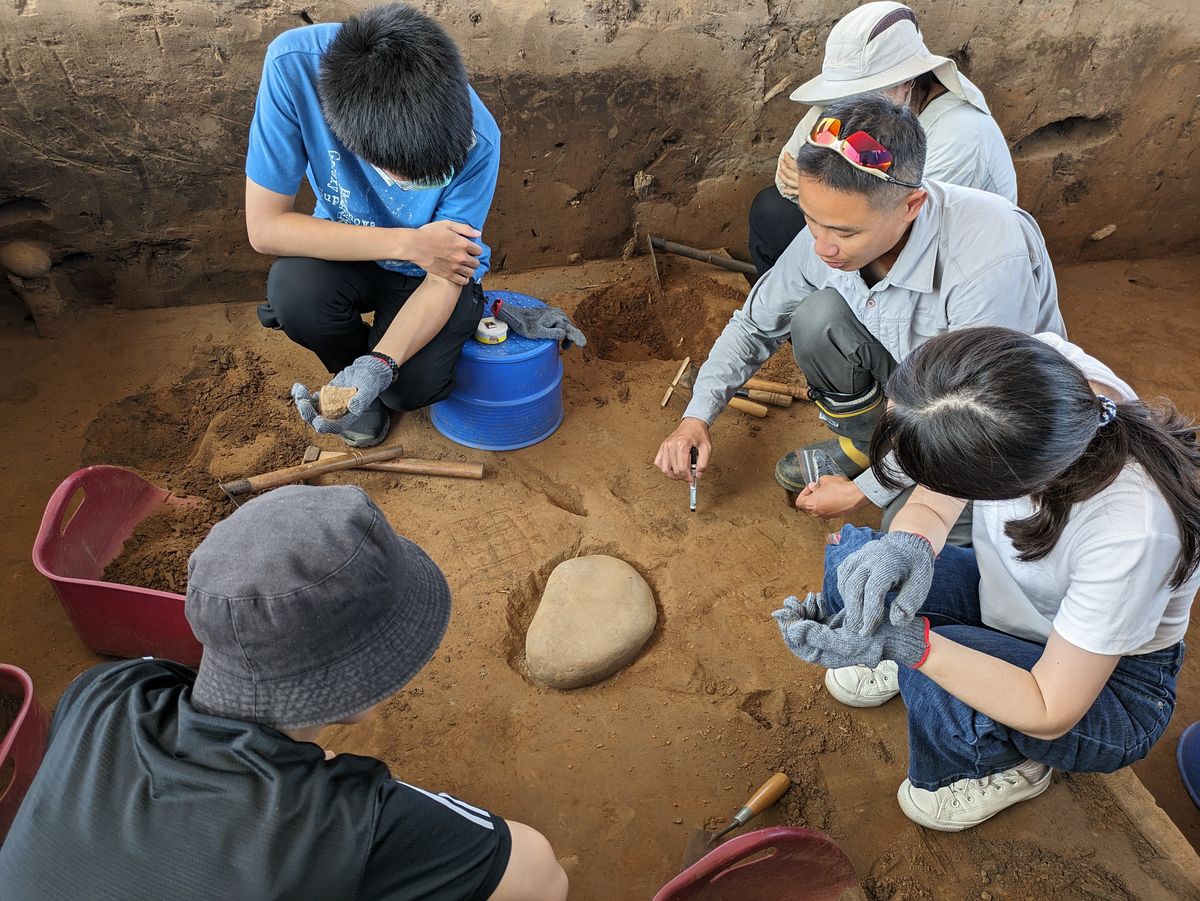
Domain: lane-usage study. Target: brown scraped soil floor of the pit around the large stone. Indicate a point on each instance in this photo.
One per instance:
(616, 776)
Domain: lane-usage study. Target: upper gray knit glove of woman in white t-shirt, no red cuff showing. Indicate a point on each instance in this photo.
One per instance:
(899, 561)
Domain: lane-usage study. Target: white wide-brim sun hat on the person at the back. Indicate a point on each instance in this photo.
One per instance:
(875, 47)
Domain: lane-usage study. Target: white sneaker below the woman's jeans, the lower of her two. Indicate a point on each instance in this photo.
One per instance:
(969, 802)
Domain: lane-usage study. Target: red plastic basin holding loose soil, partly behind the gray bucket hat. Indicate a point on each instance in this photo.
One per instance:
(85, 526)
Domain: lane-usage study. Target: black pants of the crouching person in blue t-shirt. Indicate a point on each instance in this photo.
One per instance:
(320, 305)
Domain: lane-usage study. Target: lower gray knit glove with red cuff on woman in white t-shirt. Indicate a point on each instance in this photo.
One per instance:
(835, 646)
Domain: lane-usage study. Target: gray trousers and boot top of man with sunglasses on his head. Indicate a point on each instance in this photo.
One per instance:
(847, 369)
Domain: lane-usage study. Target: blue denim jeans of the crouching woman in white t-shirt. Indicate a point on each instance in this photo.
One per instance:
(949, 741)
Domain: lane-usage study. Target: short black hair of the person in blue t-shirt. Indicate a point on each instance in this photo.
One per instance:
(394, 91)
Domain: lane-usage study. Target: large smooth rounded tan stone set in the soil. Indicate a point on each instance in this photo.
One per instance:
(595, 617)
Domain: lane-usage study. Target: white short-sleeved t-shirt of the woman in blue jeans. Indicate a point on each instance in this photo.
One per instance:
(1106, 586)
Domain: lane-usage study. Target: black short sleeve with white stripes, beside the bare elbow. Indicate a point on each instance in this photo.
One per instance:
(434, 848)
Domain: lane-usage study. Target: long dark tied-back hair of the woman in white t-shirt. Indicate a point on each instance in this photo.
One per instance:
(993, 415)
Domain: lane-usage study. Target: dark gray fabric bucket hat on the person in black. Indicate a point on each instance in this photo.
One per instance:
(311, 609)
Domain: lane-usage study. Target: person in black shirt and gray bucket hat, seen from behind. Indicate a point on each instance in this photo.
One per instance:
(161, 782)
